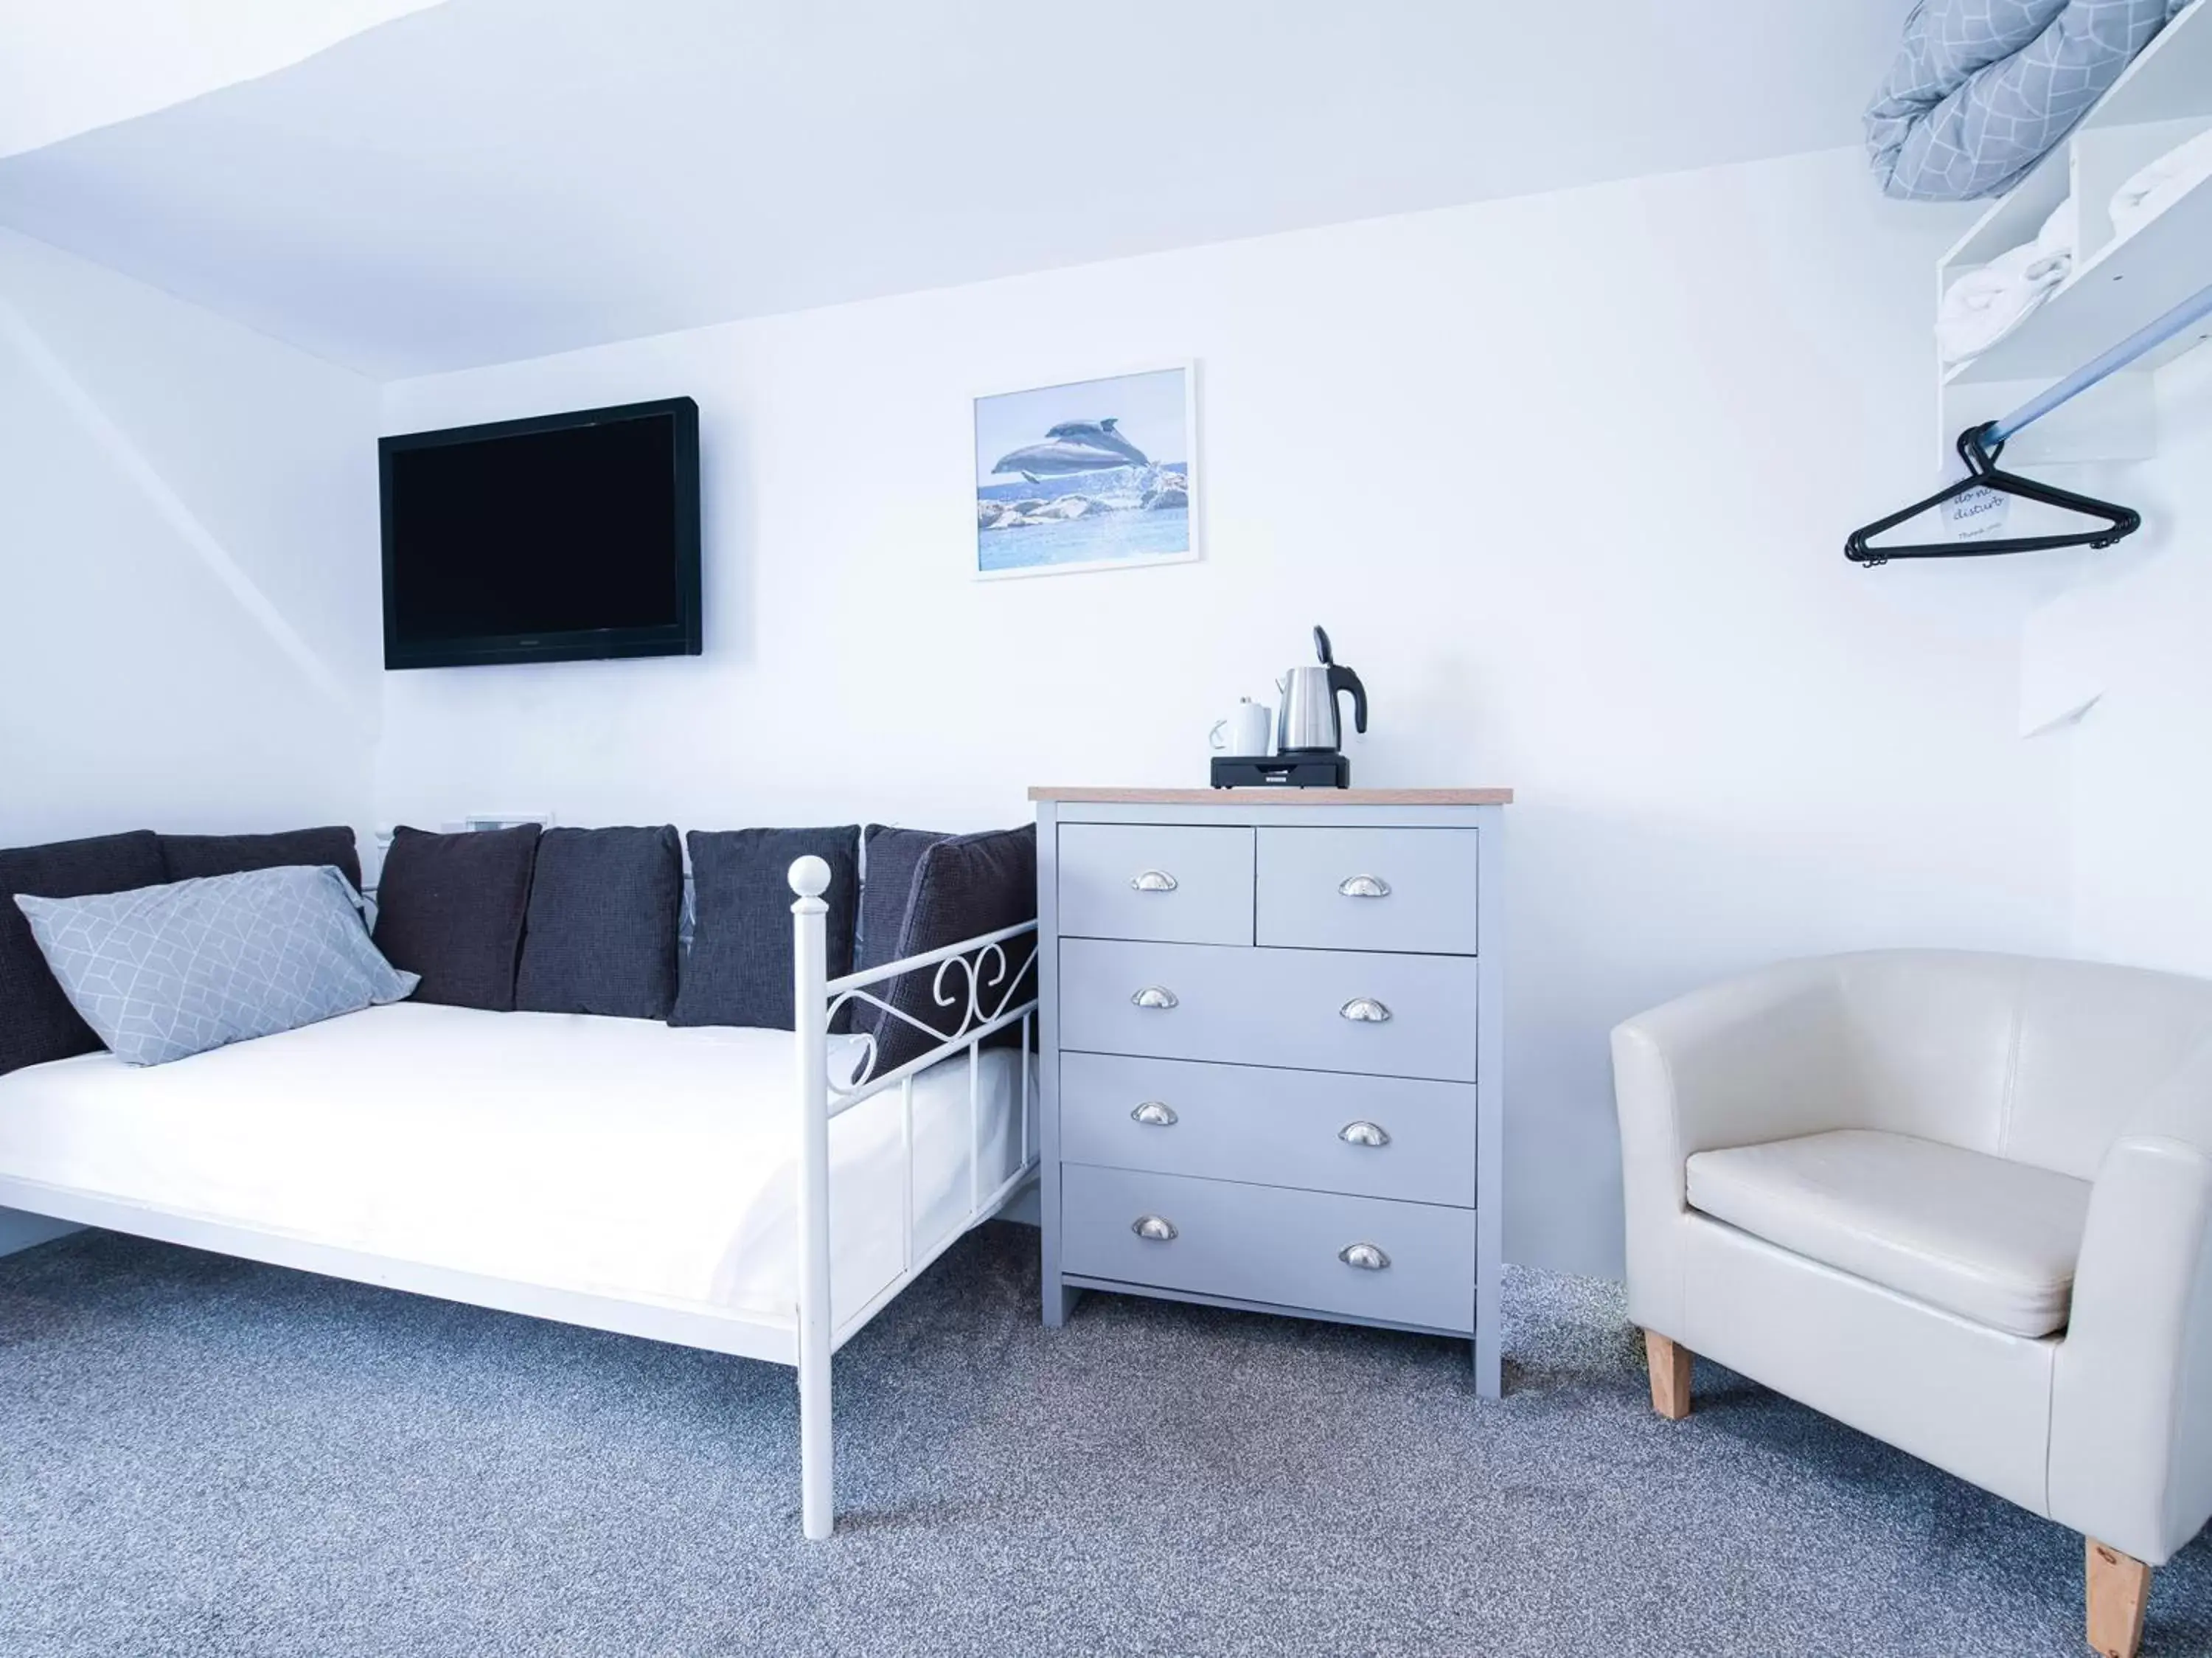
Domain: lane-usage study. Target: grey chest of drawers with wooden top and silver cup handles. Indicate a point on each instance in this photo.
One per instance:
(1273, 1053)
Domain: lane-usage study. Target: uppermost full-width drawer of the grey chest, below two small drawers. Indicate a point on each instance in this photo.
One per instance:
(1293, 1008)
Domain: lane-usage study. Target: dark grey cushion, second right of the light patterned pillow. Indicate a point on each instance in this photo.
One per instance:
(603, 924)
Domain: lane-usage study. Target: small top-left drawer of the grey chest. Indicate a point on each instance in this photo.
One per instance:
(1156, 882)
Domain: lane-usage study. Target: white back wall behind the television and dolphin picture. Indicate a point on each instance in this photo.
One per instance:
(1567, 479)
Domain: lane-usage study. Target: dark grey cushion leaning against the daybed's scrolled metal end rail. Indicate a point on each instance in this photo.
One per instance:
(963, 887)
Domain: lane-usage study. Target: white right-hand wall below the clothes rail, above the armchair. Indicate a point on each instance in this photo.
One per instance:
(2136, 632)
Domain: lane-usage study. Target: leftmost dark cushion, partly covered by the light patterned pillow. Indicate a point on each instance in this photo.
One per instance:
(36, 1019)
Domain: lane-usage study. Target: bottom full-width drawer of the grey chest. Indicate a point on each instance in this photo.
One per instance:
(1273, 1245)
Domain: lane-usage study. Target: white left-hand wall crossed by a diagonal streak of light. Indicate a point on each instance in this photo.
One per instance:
(189, 559)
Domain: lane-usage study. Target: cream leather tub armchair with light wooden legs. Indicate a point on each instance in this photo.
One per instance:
(1957, 1201)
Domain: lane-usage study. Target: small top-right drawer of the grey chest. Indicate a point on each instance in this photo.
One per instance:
(1368, 889)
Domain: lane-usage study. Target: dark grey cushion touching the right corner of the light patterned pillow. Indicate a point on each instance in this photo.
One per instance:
(450, 909)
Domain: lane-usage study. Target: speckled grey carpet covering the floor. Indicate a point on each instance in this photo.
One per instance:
(211, 1458)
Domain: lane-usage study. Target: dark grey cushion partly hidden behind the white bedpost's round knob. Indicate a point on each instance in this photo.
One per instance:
(740, 966)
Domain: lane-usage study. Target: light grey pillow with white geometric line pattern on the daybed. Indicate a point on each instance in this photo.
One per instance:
(174, 971)
